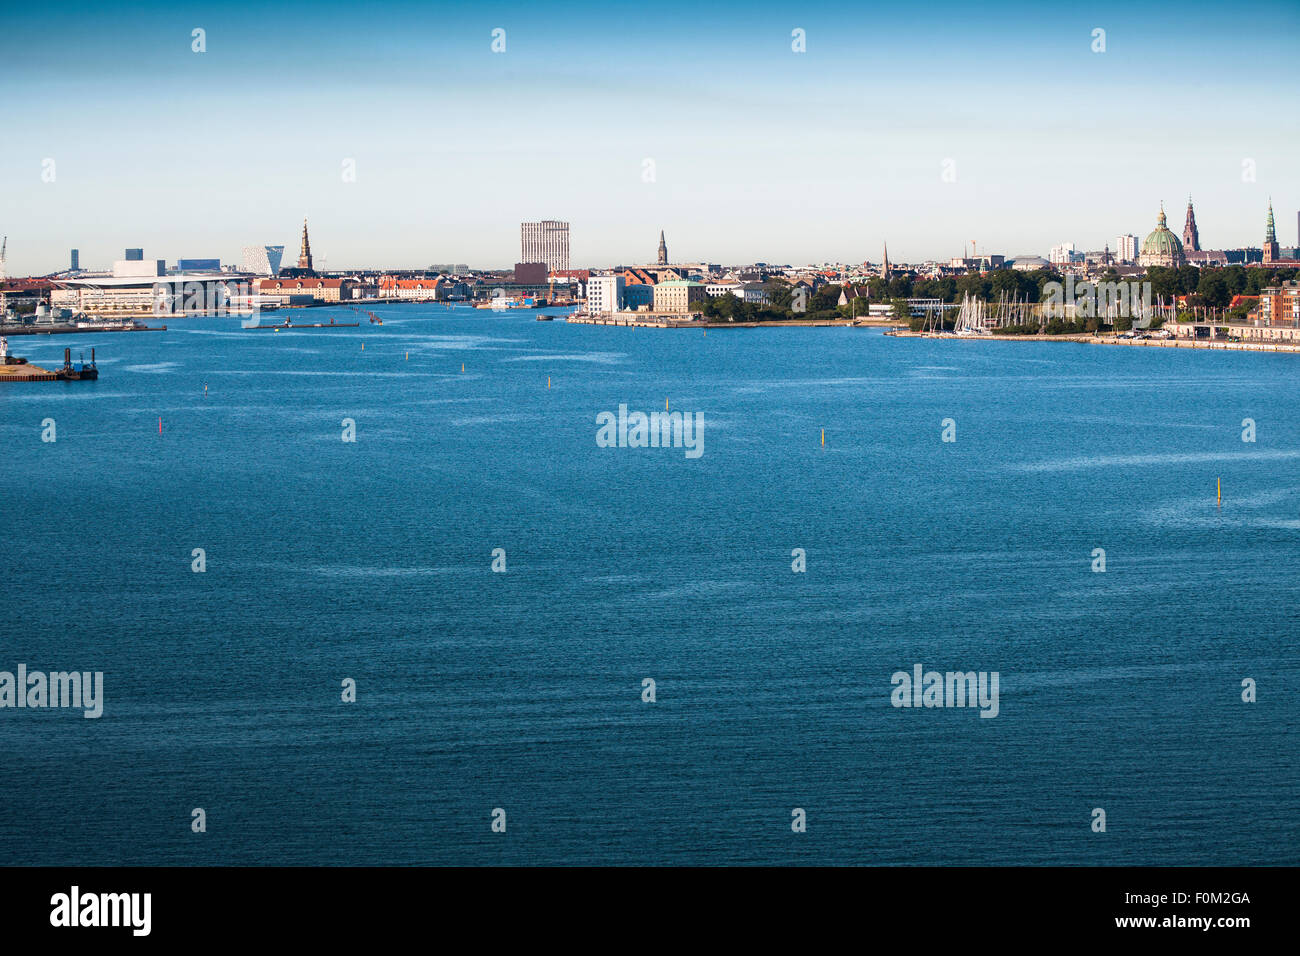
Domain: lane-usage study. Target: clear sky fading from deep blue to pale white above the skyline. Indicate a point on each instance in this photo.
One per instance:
(928, 127)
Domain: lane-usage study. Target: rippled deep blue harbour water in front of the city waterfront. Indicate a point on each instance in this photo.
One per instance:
(522, 691)
